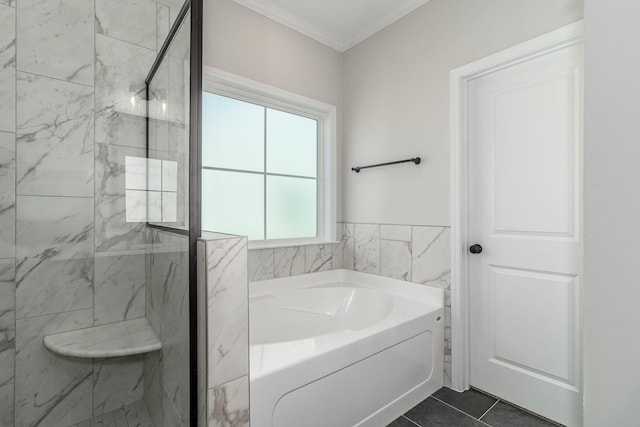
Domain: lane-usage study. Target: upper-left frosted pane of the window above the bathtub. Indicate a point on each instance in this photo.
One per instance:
(232, 133)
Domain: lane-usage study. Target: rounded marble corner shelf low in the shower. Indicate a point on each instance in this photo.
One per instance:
(117, 339)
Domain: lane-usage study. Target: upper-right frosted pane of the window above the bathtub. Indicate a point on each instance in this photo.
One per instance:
(292, 144)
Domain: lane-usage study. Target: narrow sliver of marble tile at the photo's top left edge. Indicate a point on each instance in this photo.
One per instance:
(7, 67)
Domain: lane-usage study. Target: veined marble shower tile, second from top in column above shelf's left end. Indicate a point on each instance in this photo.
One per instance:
(54, 137)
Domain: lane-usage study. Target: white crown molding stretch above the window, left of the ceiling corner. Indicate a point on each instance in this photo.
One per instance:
(295, 23)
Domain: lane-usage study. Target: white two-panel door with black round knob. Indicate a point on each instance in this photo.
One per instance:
(525, 151)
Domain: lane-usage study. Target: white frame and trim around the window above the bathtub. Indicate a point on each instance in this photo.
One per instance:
(223, 83)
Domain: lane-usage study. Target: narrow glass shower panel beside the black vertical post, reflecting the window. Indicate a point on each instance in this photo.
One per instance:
(167, 381)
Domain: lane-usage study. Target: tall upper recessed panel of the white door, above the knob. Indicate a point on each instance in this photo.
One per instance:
(532, 179)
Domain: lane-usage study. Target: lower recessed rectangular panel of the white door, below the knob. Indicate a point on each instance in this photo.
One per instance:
(533, 319)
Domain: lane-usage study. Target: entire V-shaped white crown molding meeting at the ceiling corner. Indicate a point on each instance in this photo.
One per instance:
(271, 11)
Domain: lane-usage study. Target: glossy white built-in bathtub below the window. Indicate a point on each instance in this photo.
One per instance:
(341, 348)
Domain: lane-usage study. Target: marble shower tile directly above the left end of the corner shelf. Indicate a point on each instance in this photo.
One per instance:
(54, 268)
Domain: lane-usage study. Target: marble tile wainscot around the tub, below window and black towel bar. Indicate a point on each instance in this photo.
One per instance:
(419, 254)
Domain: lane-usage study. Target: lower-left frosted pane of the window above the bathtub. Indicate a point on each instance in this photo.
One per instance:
(233, 203)
